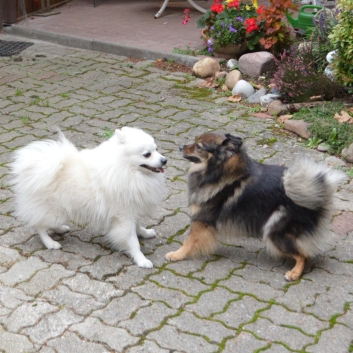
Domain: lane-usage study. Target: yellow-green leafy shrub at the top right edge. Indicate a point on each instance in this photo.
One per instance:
(342, 39)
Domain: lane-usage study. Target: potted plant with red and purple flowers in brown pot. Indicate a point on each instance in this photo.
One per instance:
(230, 28)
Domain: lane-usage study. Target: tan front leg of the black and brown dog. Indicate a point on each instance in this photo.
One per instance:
(201, 240)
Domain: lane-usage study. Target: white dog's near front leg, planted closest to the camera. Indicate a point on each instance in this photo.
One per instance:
(123, 236)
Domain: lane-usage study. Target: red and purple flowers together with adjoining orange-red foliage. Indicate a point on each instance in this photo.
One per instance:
(234, 22)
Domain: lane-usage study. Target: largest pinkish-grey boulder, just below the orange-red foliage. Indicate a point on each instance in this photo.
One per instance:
(256, 64)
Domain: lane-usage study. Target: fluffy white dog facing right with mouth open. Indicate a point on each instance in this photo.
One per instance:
(108, 187)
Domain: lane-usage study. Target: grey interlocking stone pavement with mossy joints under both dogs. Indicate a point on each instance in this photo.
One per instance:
(88, 298)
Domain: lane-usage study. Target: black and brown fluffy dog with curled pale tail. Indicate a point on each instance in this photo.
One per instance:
(232, 195)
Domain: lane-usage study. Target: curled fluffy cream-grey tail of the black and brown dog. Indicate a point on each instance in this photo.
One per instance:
(311, 185)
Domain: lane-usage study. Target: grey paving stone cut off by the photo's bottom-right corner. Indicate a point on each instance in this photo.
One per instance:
(338, 340)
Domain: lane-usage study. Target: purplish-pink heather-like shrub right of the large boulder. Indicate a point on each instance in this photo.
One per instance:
(297, 78)
